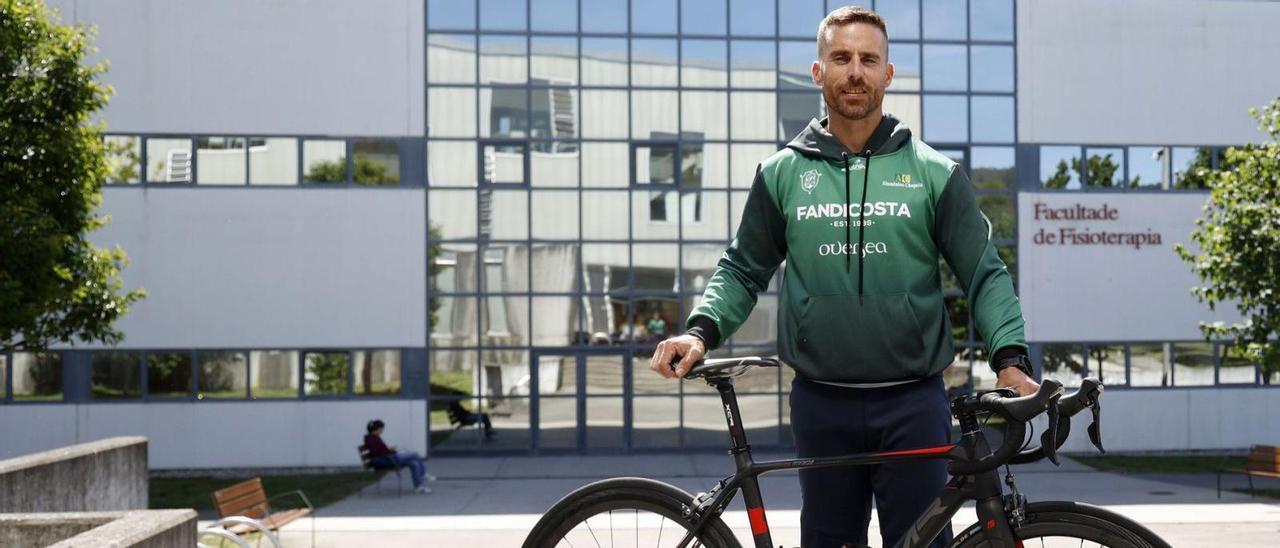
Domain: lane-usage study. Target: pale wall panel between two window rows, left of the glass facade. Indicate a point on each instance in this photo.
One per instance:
(271, 267)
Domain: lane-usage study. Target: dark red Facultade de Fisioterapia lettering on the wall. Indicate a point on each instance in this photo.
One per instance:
(1087, 236)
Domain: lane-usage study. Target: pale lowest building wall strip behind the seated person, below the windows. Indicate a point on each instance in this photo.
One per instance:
(221, 435)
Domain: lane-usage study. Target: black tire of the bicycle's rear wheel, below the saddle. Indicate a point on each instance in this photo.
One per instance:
(627, 495)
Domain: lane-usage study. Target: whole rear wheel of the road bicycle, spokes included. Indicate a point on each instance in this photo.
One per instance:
(625, 512)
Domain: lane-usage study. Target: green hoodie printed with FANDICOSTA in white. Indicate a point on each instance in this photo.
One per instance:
(862, 235)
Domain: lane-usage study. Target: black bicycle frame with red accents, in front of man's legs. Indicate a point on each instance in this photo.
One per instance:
(985, 488)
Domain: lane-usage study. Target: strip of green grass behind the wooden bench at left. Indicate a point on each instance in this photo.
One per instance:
(198, 494)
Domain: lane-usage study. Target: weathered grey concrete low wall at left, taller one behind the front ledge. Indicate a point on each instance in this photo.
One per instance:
(106, 476)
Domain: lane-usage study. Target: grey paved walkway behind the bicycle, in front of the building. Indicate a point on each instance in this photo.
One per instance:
(496, 501)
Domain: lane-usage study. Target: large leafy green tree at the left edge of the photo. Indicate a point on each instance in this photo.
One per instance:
(54, 284)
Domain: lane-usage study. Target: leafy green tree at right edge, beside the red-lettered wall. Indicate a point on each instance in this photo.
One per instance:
(1240, 245)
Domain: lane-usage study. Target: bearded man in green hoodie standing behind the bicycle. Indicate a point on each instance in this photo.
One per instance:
(862, 212)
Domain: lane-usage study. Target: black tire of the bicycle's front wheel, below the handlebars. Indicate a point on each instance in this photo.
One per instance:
(1075, 522)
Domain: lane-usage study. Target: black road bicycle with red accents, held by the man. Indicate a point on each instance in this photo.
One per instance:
(637, 512)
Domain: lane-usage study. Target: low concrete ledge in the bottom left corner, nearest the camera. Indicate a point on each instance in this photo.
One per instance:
(143, 529)
